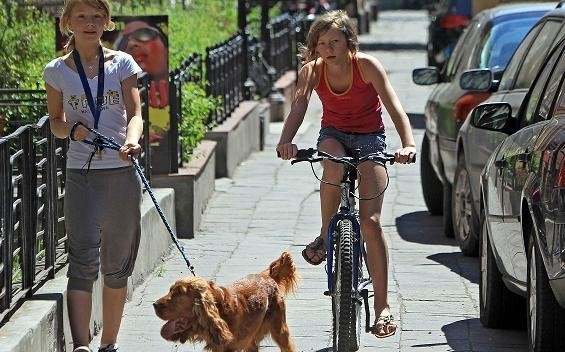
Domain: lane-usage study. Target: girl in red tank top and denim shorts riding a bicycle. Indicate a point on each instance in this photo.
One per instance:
(352, 87)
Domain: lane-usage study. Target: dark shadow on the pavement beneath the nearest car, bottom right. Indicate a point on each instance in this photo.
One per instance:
(471, 335)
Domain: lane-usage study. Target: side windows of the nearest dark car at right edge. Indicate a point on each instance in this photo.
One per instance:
(545, 88)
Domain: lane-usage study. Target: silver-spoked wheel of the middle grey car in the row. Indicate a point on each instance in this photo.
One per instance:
(464, 218)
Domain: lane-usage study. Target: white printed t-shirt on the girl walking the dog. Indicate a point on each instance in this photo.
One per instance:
(113, 119)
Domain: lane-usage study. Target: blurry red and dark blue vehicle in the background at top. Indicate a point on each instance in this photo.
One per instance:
(448, 19)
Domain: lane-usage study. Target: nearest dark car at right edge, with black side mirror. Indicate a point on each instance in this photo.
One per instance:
(522, 207)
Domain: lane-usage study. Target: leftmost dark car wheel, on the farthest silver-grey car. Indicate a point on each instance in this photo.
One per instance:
(432, 188)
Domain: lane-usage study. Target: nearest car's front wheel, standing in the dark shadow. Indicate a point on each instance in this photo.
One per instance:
(499, 307)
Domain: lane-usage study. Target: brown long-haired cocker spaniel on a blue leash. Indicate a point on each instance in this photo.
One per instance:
(231, 318)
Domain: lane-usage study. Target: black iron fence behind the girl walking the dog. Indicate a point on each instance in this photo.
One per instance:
(33, 241)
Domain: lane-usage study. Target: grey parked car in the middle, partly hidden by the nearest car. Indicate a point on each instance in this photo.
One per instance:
(474, 146)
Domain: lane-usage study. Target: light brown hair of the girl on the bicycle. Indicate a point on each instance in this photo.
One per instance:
(337, 19)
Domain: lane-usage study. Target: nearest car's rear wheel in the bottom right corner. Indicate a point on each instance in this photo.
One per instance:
(546, 318)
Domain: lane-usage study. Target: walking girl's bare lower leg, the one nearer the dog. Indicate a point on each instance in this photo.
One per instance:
(113, 308)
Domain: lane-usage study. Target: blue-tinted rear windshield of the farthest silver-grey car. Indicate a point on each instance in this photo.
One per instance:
(502, 41)
